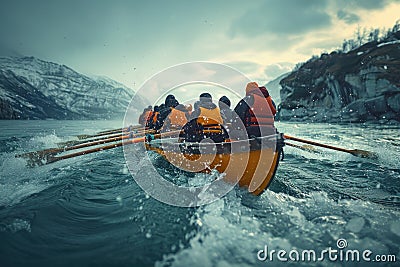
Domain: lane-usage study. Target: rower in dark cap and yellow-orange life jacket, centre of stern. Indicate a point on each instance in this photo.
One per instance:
(205, 122)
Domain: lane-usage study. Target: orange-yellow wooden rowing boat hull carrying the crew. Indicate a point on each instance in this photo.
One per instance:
(251, 163)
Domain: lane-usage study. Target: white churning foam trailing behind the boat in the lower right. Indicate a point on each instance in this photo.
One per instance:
(232, 230)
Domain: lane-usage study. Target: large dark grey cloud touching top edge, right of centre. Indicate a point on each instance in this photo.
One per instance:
(282, 18)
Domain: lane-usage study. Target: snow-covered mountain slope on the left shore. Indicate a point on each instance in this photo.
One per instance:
(31, 88)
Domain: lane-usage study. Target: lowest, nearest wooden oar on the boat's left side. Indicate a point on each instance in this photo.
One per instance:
(51, 159)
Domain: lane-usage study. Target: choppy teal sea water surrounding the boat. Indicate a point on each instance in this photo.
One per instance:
(89, 211)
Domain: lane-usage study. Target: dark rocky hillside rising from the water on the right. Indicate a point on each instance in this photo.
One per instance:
(360, 85)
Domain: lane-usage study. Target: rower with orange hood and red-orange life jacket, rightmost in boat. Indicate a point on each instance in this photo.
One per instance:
(257, 110)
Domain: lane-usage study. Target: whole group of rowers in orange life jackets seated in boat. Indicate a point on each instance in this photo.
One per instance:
(256, 111)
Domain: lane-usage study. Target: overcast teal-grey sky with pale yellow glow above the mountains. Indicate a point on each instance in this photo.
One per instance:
(130, 41)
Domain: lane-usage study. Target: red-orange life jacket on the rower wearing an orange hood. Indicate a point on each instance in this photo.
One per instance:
(261, 112)
